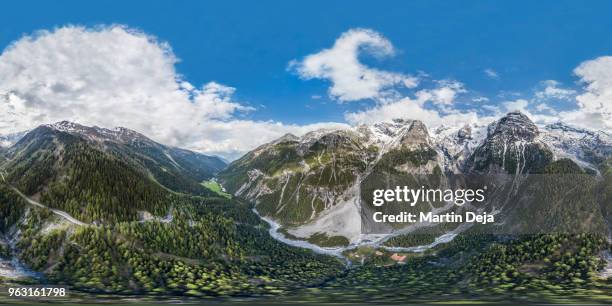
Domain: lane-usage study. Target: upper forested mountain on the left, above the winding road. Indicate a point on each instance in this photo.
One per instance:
(106, 180)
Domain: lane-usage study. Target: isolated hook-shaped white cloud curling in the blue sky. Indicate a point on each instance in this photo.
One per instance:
(351, 80)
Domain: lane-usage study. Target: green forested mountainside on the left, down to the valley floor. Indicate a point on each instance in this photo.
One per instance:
(137, 233)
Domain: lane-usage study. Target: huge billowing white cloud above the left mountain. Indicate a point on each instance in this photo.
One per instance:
(117, 76)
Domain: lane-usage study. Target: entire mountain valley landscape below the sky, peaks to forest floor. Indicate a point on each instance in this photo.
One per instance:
(111, 213)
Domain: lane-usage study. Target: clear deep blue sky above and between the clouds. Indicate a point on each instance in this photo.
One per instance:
(248, 44)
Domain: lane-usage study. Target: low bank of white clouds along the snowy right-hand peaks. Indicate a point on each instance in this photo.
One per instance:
(548, 104)
